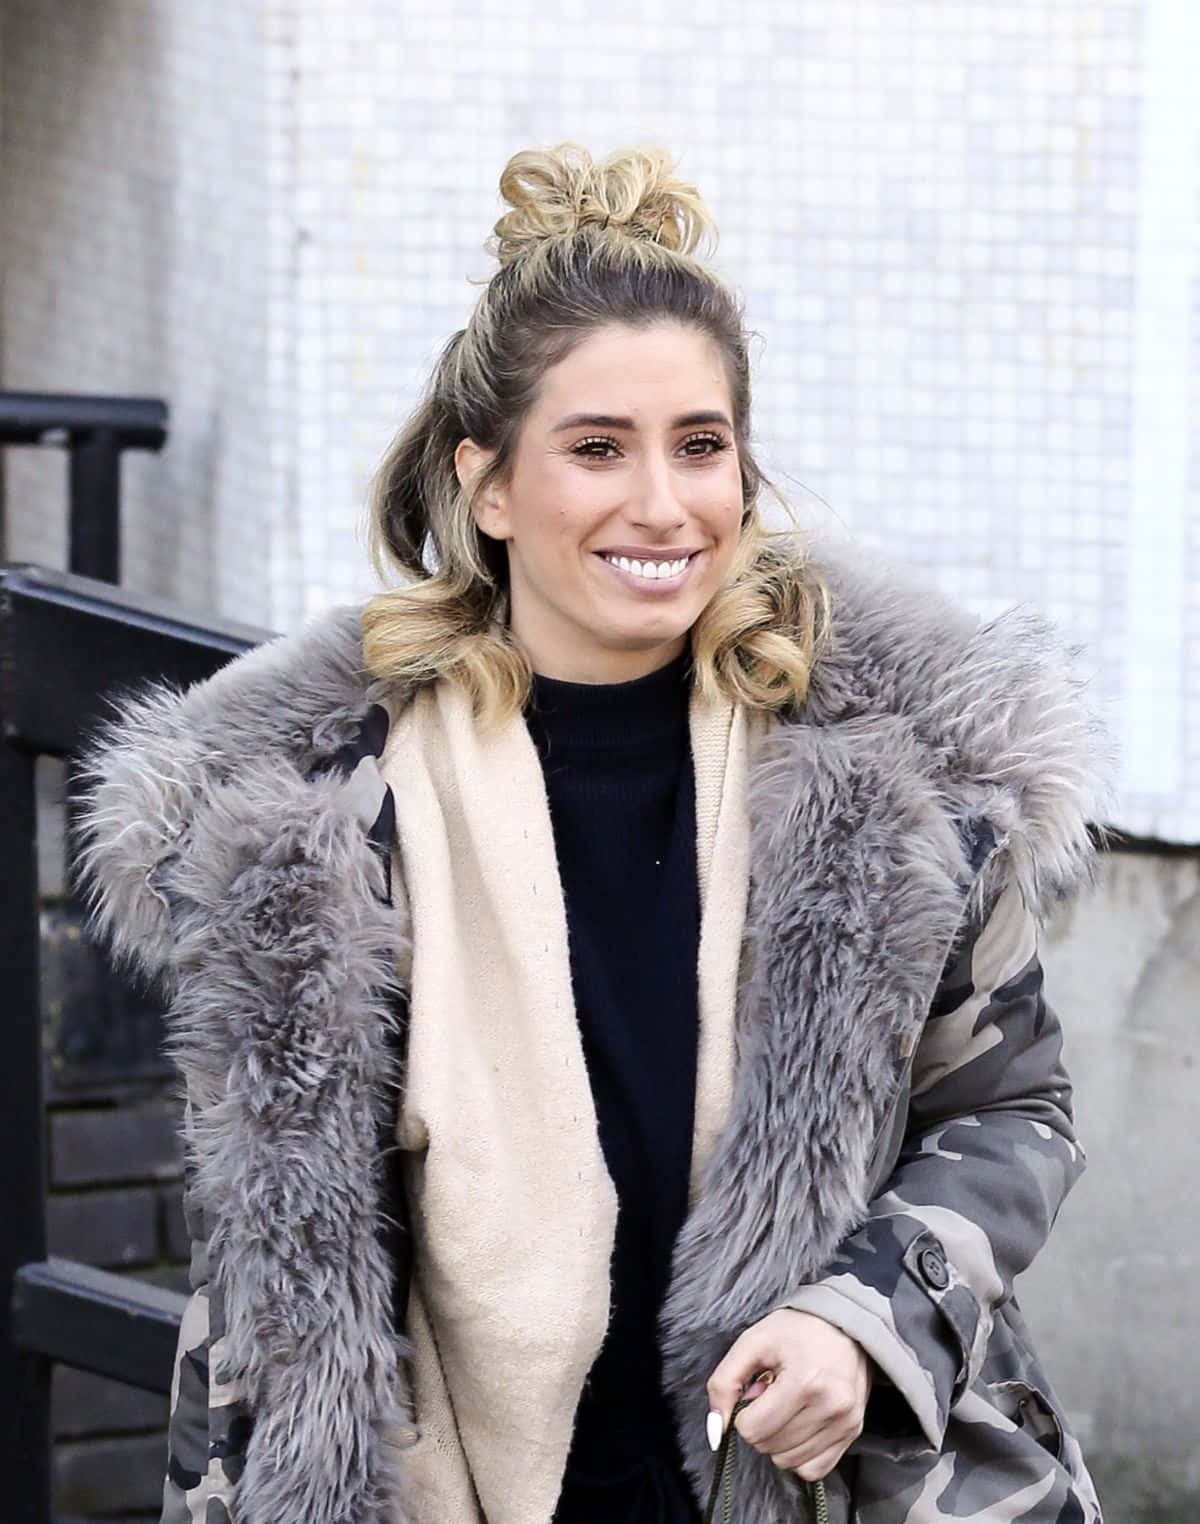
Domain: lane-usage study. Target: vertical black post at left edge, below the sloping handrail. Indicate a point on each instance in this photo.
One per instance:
(25, 1380)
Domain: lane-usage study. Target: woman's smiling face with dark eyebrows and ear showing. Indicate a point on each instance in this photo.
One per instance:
(623, 507)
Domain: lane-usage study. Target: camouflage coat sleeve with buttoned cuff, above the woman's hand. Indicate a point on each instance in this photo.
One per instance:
(987, 1159)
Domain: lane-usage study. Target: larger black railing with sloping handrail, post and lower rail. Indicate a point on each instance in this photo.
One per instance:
(65, 642)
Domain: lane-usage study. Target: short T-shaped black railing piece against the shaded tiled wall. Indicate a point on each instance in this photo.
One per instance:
(95, 431)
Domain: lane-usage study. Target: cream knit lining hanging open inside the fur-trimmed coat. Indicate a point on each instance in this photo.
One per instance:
(513, 1206)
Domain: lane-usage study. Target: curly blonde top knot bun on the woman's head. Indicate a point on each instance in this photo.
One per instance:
(556, 193)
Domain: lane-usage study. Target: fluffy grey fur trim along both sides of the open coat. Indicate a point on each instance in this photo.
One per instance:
(216, 865)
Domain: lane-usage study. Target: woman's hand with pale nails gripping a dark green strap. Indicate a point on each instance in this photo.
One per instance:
(813, 1409)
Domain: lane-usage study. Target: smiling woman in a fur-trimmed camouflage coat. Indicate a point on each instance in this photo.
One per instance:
(641, 915)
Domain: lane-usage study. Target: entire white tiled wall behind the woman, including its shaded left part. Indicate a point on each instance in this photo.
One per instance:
(967, 234)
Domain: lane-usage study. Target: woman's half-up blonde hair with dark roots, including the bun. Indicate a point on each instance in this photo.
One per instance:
(583, 246)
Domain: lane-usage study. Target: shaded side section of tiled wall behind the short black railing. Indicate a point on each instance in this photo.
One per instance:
(135, 211)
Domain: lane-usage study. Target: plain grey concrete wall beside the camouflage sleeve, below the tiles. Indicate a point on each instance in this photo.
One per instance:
(1115, 1298)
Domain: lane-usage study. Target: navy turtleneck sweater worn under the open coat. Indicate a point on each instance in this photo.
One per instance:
(618, 770)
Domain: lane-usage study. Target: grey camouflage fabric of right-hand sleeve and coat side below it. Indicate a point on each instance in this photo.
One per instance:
(963, 1426)
